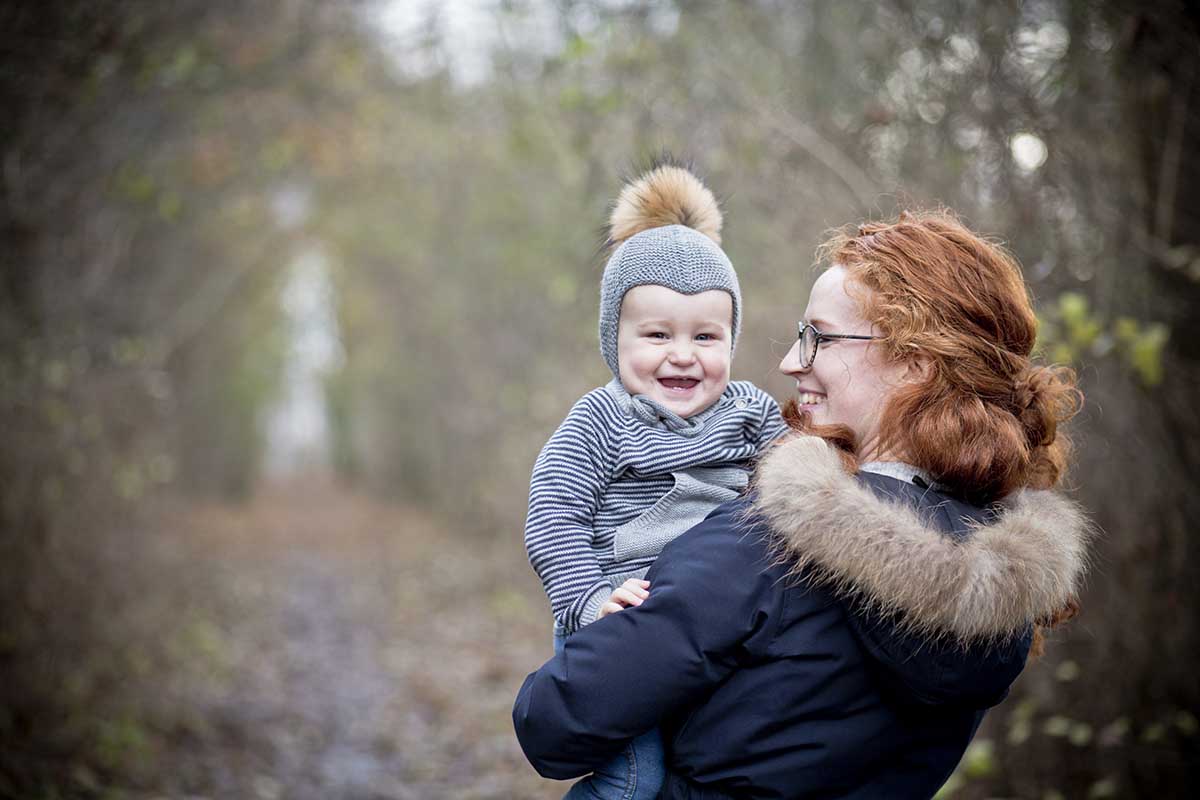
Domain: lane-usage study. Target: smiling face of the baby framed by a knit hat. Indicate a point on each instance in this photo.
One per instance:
(676, 348)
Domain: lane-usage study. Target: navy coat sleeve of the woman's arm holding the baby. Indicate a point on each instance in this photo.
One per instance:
(710, 604)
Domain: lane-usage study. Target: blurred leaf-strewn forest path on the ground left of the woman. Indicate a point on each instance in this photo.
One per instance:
(352, 649)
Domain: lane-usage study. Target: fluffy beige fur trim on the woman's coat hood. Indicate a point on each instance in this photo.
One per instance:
(1018, 570)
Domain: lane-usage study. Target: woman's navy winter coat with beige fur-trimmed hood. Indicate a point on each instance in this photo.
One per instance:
(827, 639)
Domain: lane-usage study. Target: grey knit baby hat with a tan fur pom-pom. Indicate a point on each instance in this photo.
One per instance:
(668, 230)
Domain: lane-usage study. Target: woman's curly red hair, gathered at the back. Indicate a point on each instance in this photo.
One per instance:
(986, 419)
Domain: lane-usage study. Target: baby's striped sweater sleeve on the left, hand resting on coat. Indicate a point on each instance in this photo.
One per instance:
(568, 484)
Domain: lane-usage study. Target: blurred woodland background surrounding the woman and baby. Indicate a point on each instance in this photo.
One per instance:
(293, 292)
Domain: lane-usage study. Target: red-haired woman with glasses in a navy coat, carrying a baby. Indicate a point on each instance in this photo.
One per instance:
(841, 633)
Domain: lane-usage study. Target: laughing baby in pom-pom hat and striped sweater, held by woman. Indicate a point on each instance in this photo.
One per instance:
(646, 458)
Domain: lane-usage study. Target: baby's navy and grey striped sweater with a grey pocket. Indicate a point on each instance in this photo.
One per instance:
(621, 478)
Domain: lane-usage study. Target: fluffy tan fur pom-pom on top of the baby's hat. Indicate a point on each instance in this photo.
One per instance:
(667, 196)
